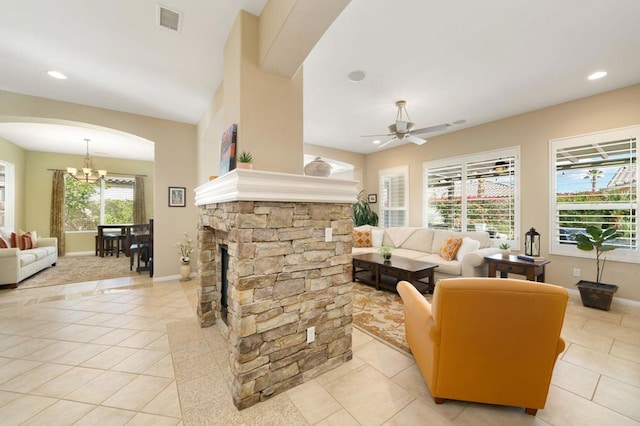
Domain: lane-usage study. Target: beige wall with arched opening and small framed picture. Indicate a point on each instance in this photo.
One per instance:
(175, 161)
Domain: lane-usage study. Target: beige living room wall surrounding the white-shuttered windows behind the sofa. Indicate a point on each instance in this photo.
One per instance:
(532, 132)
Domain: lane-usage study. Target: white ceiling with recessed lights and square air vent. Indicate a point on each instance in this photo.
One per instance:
(450, 60)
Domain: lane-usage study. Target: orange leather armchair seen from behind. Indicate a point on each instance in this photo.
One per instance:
(488, 340)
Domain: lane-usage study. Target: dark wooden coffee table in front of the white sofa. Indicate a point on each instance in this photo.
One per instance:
(371, 268)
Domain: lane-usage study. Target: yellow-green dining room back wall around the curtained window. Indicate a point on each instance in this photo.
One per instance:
(38, 190)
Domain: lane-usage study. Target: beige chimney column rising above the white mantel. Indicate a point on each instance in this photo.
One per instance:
(267, 107)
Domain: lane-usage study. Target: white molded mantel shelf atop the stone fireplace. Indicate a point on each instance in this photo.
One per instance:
(257, 185)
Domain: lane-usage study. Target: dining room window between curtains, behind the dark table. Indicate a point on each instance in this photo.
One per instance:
(106, 202)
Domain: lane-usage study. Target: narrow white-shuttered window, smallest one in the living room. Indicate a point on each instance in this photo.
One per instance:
(394, 197)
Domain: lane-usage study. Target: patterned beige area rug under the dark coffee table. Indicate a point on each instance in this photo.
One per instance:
(380, 312)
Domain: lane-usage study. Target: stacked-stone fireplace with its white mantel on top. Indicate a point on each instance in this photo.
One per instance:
(287, 242)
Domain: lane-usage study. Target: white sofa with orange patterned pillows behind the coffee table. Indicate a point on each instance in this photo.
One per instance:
(424, 244)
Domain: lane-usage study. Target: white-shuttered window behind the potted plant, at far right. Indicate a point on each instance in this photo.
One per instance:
(594, 180)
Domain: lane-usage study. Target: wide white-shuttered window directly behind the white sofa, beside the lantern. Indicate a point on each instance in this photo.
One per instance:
(474, 193)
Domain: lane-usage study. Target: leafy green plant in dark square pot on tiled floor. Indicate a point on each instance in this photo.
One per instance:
(597, 294)
